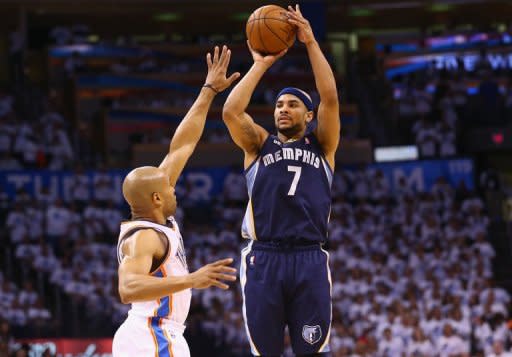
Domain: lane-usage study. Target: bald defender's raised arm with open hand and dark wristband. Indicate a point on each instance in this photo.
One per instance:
(191, 127)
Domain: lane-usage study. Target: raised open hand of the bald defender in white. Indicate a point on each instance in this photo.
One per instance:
(218, 68)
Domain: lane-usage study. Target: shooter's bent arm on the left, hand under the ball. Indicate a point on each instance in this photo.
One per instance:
(248, 135)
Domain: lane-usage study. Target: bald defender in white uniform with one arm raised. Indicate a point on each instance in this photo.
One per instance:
(153, 274)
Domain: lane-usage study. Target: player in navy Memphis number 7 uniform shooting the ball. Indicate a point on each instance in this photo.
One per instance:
(284, 272)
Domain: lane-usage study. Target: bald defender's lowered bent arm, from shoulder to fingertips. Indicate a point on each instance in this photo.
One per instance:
(136, 284)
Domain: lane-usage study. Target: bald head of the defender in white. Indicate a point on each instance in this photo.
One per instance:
(142, 183)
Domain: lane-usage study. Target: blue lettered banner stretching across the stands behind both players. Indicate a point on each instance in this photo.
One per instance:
(202, 185)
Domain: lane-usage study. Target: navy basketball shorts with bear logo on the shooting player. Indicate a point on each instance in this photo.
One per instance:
(286, 286)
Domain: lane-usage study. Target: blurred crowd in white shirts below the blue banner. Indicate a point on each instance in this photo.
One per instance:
(412, 272)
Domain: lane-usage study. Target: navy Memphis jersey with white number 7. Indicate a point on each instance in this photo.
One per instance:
(289, 188)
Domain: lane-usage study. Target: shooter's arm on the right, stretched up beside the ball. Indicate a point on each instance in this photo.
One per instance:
(328, 128)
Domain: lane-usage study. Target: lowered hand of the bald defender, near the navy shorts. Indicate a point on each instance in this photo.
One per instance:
(211, 274)
